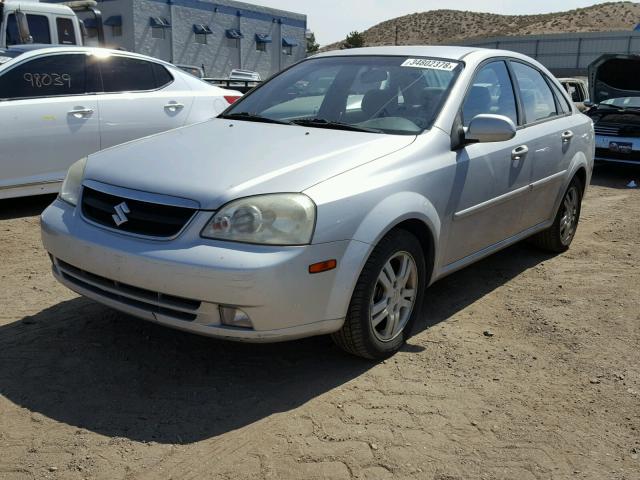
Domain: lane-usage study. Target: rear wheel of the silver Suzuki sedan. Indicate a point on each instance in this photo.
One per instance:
(560, 234)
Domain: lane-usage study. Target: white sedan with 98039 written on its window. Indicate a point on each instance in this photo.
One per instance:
(61, 103)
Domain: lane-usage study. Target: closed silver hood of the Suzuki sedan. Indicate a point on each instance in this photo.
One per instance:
(220, 160)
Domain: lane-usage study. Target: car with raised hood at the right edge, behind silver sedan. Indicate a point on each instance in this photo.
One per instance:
(615, 93)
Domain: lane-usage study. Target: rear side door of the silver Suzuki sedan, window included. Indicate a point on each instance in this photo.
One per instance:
(549, 119)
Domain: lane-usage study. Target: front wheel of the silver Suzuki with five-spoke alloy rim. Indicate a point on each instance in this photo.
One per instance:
(367, 332)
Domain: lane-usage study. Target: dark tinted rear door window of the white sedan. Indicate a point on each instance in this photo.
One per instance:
(123, 74)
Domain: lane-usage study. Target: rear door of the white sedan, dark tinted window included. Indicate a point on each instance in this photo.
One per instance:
(139, 98)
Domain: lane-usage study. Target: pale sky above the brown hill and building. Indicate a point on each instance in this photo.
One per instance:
(332, 20)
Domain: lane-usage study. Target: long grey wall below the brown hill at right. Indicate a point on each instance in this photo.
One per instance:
(566, 54)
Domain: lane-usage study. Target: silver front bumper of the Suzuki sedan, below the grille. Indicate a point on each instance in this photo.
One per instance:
(182, 283)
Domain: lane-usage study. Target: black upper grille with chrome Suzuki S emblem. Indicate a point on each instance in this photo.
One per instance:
(141, 218)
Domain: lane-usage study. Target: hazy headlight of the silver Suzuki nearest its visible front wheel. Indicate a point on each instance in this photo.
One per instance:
(276, 219)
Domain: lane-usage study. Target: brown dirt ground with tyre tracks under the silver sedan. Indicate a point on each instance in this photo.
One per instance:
(550, 391)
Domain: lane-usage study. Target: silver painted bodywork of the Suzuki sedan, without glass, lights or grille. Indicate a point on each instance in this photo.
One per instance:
(363, 185)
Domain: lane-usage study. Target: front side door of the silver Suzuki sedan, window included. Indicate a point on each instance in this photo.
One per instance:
(492, 178)
